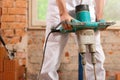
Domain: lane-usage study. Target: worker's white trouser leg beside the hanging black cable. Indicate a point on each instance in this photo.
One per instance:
(55, 46)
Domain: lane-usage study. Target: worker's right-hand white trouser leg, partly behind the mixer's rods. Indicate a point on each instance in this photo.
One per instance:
(100, 72)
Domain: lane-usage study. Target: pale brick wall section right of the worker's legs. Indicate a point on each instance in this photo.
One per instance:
(111, 46)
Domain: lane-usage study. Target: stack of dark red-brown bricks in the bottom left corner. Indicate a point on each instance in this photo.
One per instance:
(10, 69)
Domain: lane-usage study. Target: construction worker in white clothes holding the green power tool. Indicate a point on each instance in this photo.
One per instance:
(60, 10)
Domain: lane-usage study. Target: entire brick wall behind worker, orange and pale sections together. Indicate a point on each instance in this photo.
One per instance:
(13, 29)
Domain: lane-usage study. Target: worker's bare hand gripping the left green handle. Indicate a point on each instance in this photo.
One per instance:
(67, 18)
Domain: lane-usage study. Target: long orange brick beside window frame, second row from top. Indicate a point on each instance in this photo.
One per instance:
(17, 11)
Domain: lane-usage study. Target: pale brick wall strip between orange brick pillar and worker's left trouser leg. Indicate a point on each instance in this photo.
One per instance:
(35, 50)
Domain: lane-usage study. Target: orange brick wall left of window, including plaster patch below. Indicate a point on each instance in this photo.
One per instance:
(13, 26)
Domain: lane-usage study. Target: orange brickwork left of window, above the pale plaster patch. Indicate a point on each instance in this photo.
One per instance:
(14, 19)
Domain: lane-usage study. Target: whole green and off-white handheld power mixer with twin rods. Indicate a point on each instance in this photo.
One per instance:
(84, 29)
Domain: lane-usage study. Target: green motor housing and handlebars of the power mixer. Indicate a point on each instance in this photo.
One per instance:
(83, 21)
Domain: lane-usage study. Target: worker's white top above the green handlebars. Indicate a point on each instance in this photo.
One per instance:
(53, 17)
